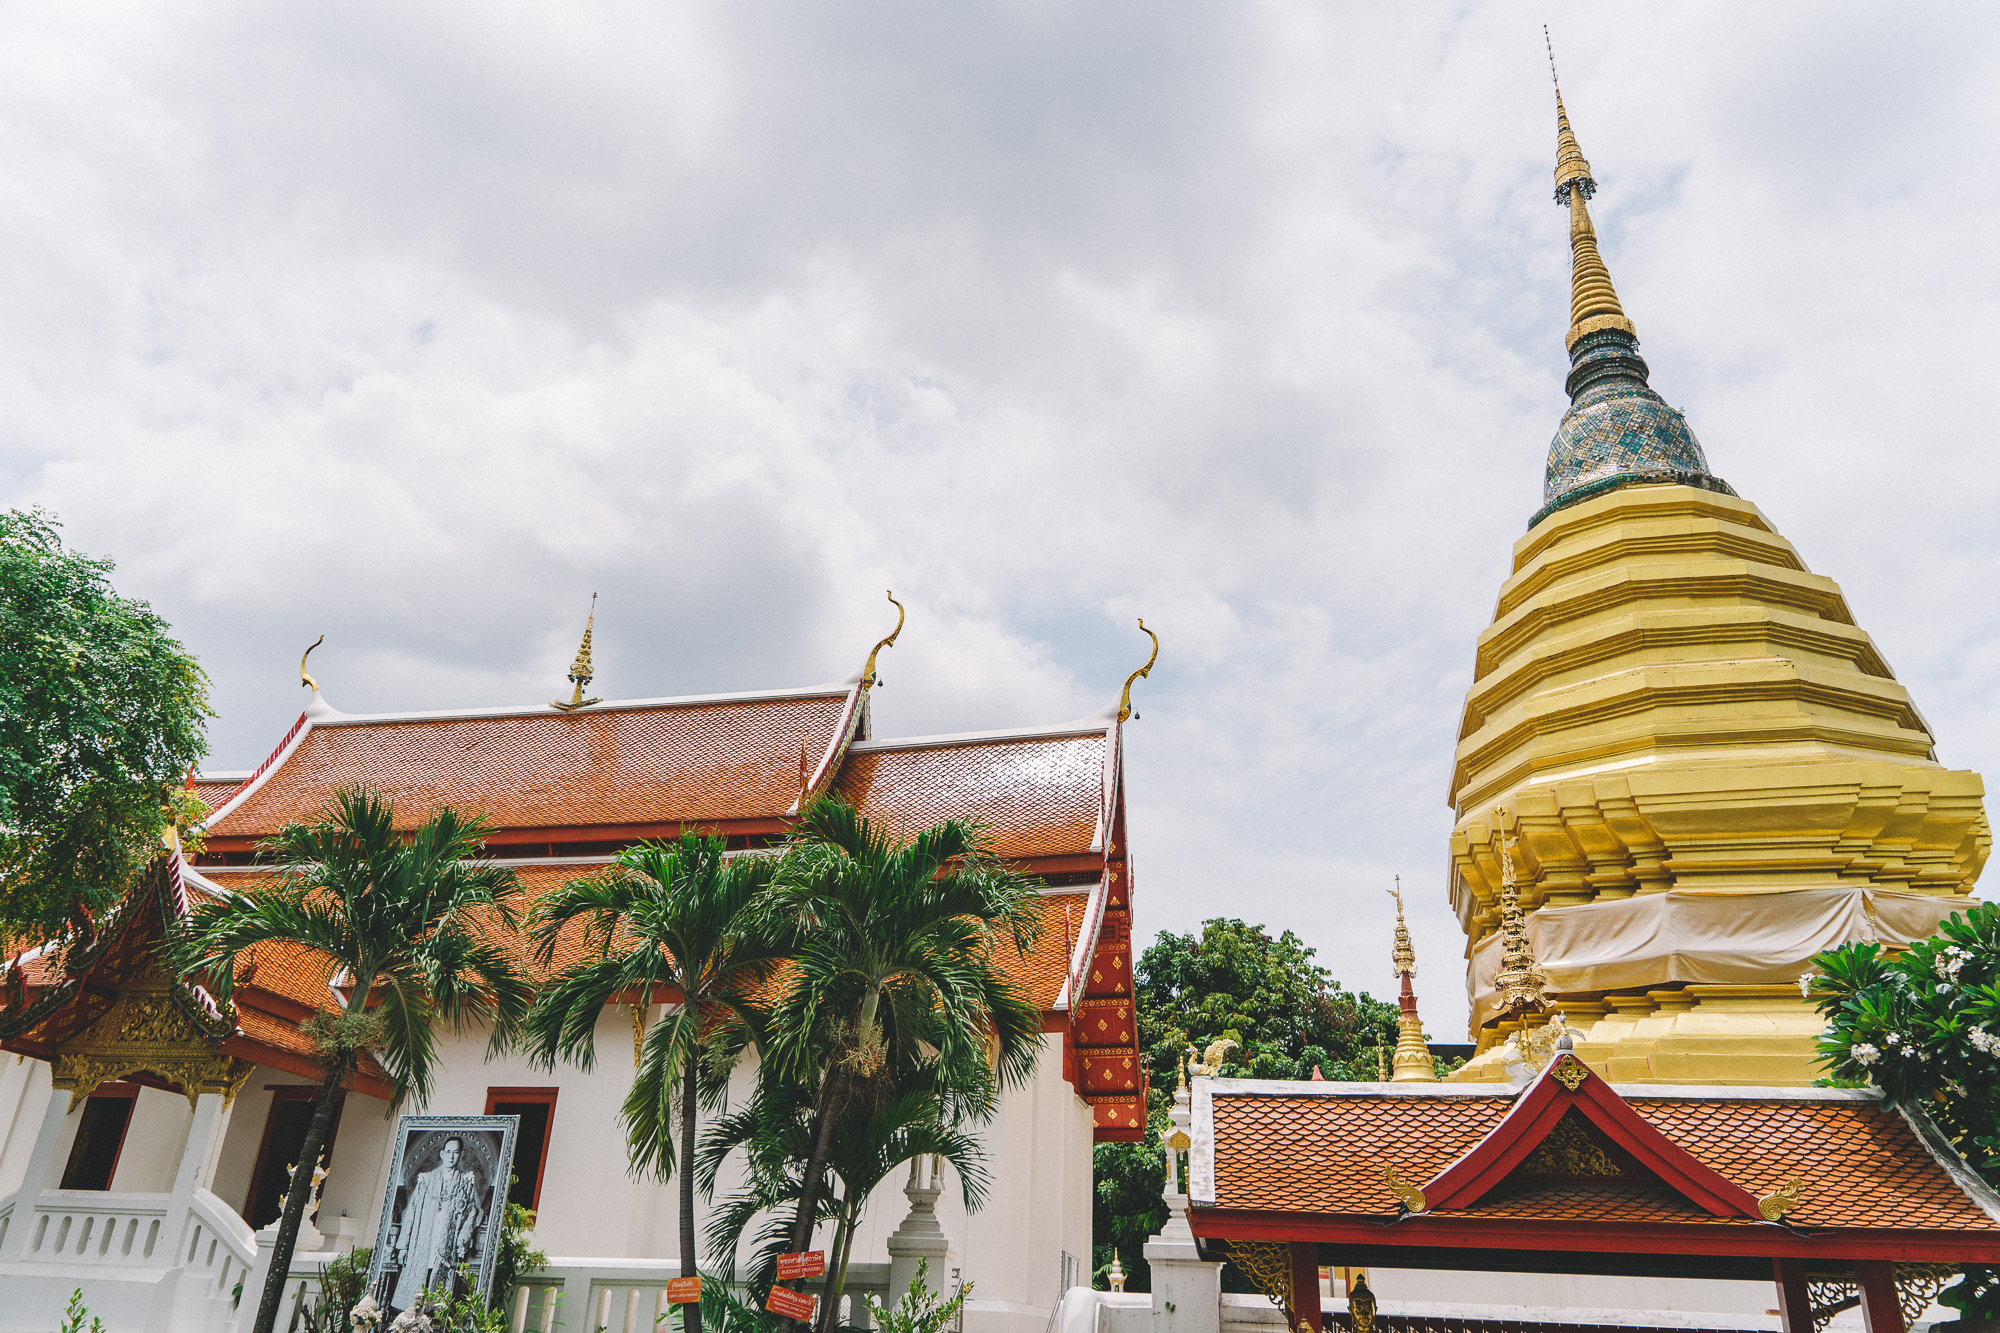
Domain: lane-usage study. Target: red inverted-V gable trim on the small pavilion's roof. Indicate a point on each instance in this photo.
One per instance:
(1535, 1116)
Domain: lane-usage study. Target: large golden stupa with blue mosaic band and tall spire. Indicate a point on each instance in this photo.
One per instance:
(1707, 770)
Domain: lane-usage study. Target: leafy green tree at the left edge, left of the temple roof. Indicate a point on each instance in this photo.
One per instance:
(101, 720)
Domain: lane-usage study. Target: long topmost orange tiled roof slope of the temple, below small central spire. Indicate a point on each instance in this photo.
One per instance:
(667, 764)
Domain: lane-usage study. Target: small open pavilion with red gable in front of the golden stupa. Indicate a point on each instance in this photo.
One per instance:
(1829, 1194)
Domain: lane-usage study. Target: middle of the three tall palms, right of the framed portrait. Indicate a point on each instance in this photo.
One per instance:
(677, 918)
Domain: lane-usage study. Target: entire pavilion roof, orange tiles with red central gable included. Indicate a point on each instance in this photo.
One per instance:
(1597, 1156)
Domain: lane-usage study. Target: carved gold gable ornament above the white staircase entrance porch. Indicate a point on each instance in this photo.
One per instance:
(145, 1032)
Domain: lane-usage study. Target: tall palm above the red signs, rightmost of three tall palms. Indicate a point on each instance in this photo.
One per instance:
(897, 970)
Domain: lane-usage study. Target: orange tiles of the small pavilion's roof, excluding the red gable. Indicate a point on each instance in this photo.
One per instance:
(1325, 1154)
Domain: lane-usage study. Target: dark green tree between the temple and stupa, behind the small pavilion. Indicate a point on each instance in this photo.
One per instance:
(1287, 1018)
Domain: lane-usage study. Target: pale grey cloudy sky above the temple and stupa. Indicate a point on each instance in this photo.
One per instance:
(417, 323)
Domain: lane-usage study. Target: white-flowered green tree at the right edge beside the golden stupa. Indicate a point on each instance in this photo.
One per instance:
(1925, 1028)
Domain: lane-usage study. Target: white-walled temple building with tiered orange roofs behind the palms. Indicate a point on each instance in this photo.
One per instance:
(147, 1134)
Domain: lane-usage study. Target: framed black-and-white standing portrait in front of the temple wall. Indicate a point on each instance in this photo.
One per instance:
(443, 1208)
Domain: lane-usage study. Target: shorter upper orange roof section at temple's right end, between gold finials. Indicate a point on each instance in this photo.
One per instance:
(1037, 796)
